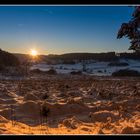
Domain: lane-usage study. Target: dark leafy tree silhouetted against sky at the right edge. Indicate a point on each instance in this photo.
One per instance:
(131, 30)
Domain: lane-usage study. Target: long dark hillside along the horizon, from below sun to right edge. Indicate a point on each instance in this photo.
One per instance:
(109, 56)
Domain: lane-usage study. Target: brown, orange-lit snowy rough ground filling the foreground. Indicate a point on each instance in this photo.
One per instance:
(77, 105)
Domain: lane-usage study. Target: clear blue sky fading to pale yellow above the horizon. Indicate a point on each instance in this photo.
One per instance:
(63, 29)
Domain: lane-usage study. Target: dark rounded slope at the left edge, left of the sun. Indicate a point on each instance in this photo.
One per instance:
(8, 59)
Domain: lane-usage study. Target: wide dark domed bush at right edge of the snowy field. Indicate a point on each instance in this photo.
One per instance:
(126, 72)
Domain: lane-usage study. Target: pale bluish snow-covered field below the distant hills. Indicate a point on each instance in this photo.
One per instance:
(94, 68)
